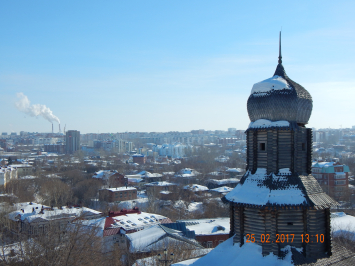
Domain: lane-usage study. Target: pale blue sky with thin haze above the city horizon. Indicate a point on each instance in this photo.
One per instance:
(115, 66)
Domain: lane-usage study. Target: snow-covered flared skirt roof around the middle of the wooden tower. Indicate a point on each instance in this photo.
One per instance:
(284, 188)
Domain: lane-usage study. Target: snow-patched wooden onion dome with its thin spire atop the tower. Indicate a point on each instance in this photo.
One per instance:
(279, 98)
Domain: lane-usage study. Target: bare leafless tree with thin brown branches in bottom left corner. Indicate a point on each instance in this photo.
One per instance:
(77, 244)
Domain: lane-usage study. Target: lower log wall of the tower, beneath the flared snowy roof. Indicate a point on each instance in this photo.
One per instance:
(284, 222)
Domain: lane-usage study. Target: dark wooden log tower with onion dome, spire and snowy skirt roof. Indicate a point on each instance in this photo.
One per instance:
(278, 202)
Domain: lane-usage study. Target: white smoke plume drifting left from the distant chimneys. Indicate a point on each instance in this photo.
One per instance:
(23, 104)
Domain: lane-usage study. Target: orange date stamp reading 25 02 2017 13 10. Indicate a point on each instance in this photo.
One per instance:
(284, 238)
